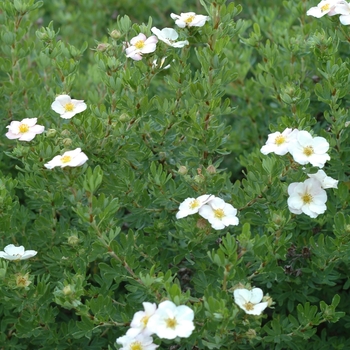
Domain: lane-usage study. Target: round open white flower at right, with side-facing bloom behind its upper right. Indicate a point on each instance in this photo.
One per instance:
(307, 197)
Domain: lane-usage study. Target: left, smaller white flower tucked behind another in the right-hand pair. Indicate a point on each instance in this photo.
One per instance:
(278, 142)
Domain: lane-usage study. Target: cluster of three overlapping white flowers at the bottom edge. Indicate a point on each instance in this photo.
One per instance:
(168, 321)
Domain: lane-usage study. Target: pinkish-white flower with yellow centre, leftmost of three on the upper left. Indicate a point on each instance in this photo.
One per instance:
(24, 130)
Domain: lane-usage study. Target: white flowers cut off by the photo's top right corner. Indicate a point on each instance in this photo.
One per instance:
(332, 8)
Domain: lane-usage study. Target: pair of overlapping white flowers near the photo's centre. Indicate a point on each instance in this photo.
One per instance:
(219, 213)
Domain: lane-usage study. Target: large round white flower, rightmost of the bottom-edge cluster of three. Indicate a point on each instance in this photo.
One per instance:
(171, 321)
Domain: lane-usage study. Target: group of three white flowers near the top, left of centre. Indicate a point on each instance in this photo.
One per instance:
(140, 44)
